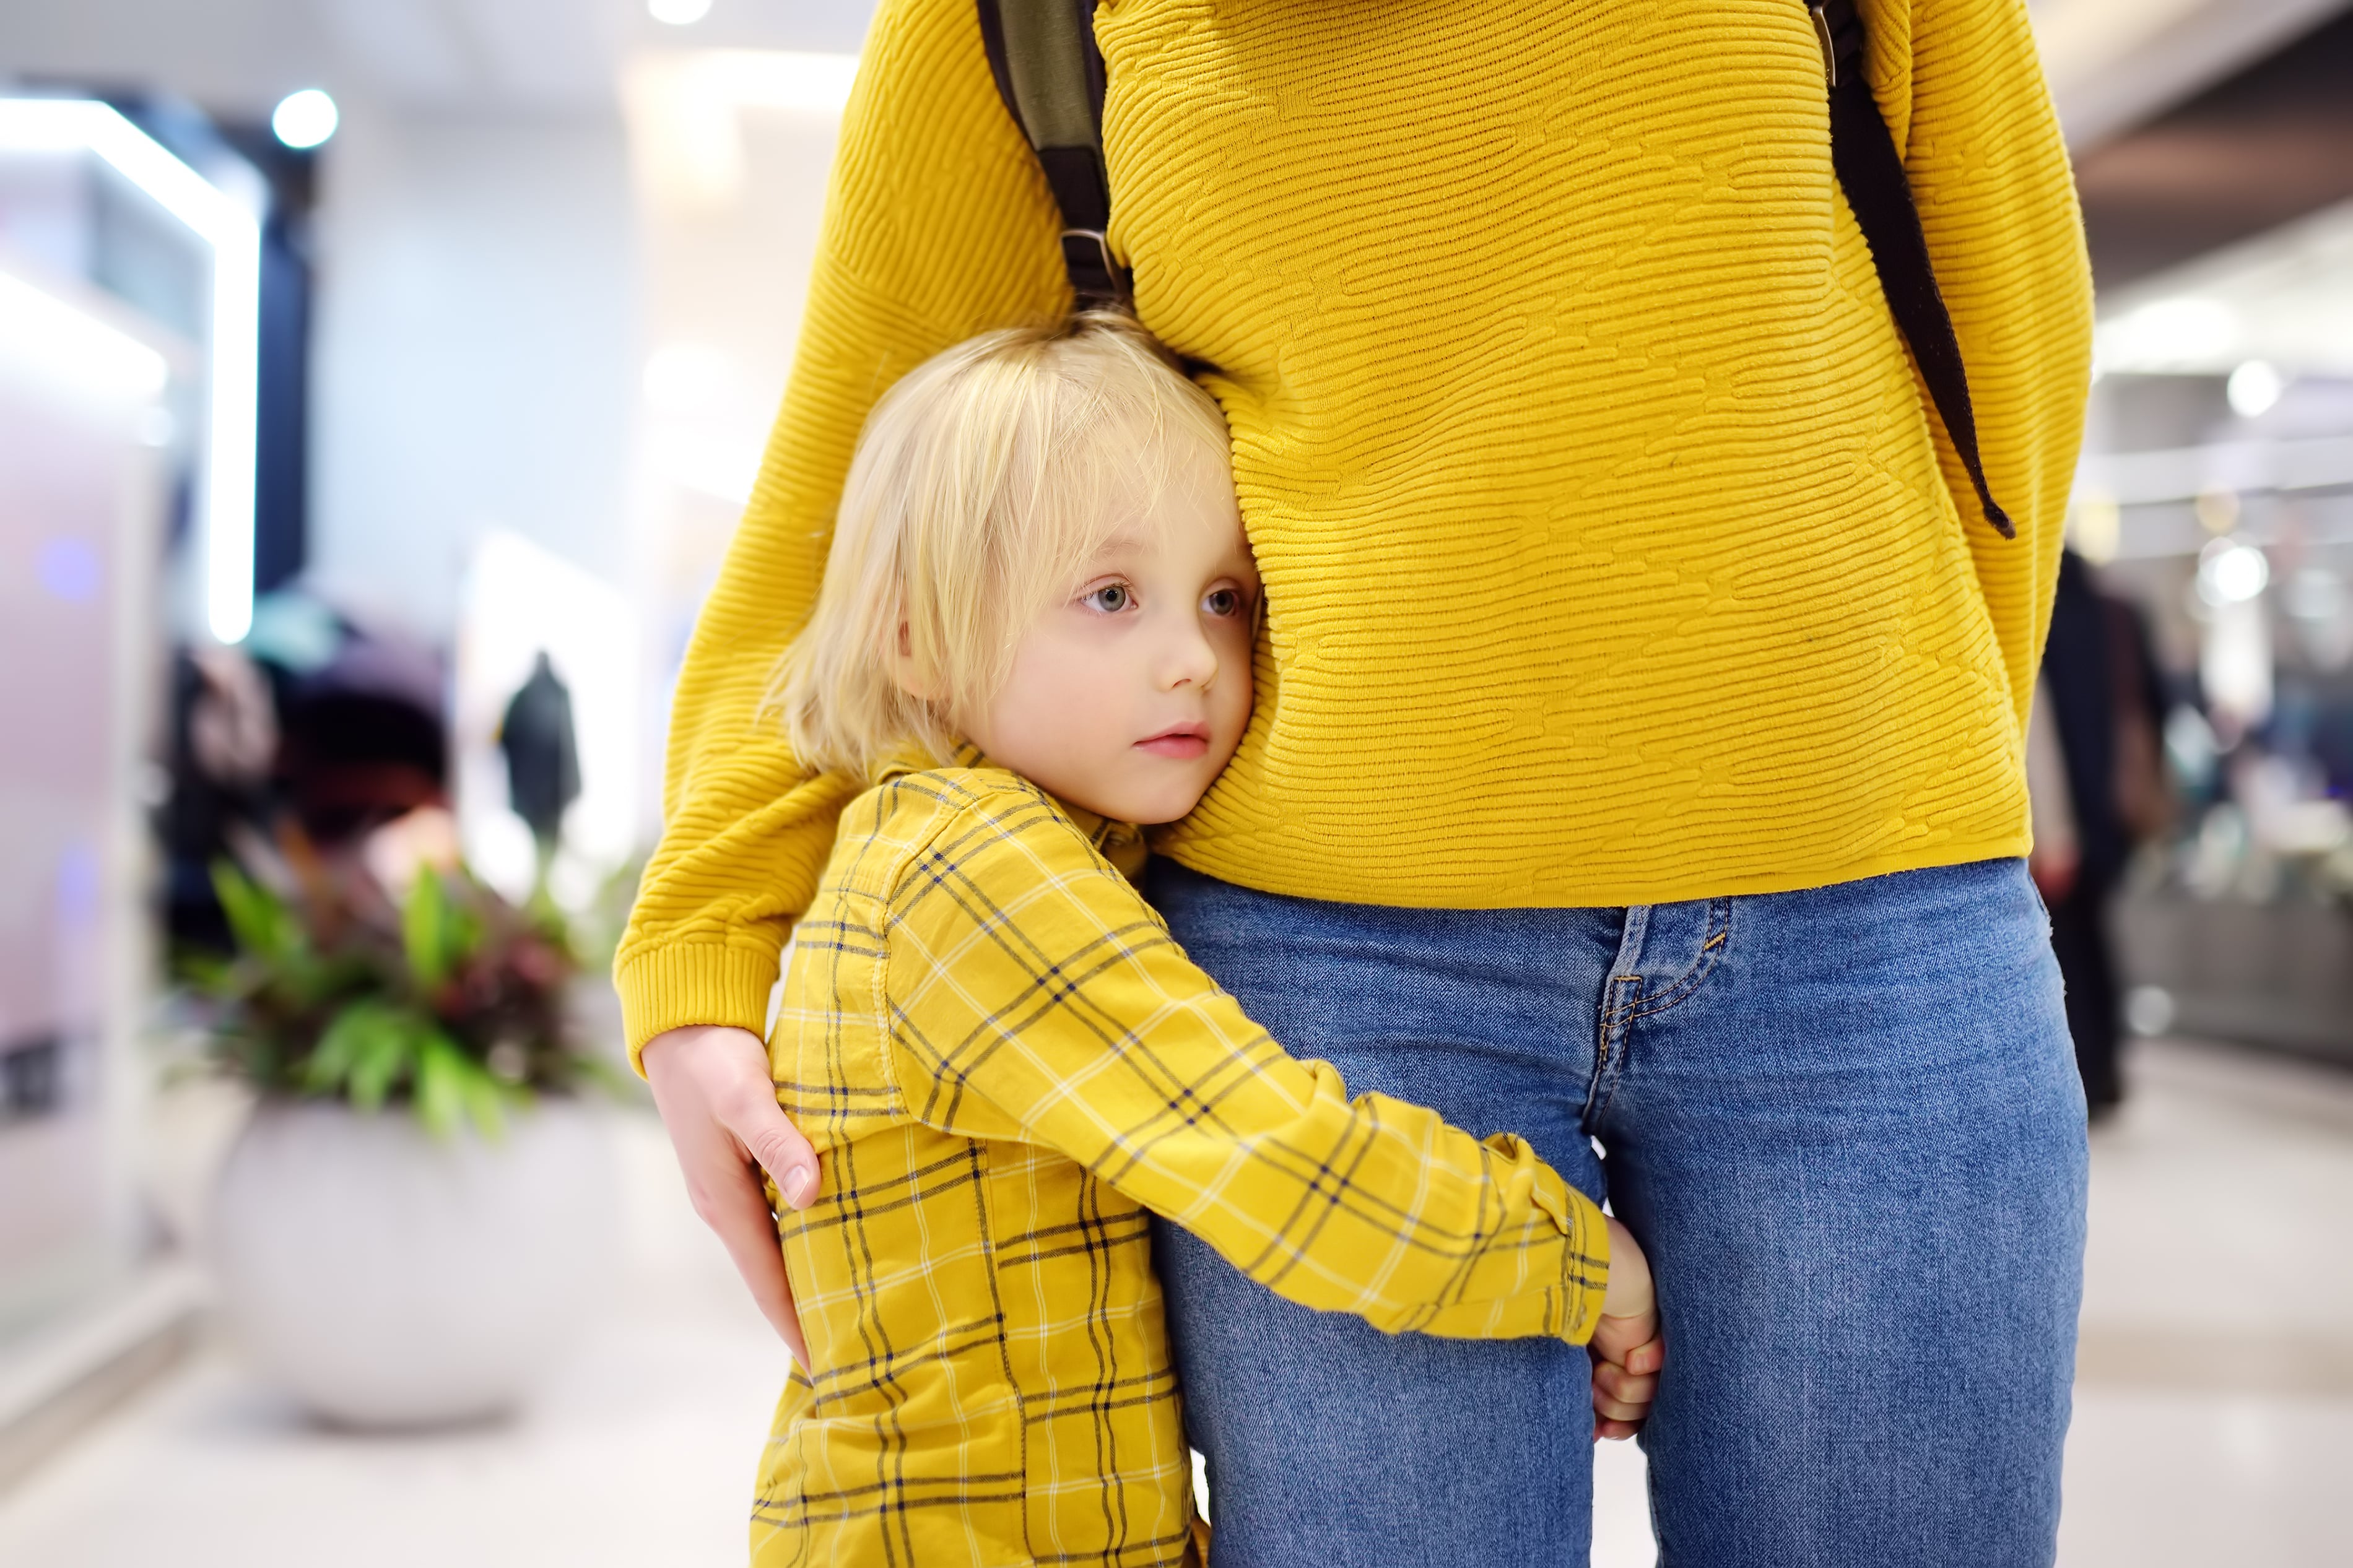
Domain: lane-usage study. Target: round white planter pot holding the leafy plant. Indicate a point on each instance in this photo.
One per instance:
(396, 1280)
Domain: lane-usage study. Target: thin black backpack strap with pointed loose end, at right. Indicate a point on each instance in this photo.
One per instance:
(1872, 170)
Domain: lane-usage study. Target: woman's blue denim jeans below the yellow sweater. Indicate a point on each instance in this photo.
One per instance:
(1848, 1132)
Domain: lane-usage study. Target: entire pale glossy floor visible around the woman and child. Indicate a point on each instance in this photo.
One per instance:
(2213, 1419)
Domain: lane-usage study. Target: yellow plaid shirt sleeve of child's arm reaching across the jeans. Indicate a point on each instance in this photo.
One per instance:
(1036, 998)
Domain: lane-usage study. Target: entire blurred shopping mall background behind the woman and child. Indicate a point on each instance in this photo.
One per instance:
(380, 382)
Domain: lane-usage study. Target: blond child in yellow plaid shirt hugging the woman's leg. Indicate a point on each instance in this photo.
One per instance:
(1034, 634)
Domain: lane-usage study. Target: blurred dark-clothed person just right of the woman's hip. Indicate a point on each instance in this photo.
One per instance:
(2098, 782)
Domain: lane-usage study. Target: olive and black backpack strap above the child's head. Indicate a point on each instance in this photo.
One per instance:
(1051, 76)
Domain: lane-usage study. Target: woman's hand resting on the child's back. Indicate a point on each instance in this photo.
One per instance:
(721, 1111)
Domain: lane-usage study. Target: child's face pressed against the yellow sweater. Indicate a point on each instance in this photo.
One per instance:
(1131, 695)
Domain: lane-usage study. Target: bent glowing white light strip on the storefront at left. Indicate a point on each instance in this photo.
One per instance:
(234, 342)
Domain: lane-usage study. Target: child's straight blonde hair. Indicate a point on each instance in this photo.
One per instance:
(985, 478)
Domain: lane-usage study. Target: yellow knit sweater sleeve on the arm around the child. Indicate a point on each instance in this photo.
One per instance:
(938, 227)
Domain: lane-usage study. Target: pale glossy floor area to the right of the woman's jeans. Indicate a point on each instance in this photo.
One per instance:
(2215, 1379)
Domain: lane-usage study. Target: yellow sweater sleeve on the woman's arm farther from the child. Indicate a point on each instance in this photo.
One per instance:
(1964, 93)
